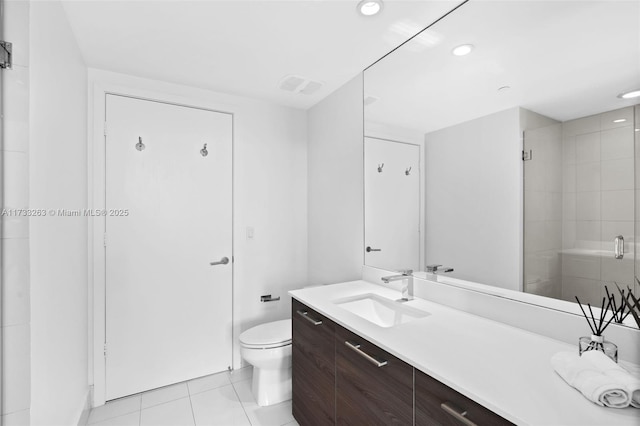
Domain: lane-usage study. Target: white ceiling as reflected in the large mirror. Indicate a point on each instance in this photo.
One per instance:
(562, 59)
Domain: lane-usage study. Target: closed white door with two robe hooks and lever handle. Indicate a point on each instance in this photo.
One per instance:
(169, 214)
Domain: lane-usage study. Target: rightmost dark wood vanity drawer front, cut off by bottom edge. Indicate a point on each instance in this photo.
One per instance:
(438, 404)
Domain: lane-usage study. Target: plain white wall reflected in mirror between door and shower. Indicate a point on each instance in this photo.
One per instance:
(474, 195)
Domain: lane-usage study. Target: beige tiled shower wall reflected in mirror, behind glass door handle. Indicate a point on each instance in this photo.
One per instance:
(598, 204)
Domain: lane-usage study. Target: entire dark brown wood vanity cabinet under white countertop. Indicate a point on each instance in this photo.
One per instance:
(341, 378)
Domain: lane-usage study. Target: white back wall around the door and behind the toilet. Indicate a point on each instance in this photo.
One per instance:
(270, 185)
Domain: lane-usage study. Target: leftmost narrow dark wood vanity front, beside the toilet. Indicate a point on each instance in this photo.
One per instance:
(313, 372)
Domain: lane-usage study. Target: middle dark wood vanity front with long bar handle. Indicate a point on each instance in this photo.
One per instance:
(372, 386)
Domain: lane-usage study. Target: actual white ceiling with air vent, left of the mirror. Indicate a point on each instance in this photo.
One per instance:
(244, 47)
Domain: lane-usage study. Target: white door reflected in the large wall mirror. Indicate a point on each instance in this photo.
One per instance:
(392, 204)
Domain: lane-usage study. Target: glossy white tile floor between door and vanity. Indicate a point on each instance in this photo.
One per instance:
(222, 399)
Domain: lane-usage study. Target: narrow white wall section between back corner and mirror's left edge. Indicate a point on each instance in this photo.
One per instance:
(336, 214)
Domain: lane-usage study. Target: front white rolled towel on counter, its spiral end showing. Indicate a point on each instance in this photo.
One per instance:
(587, 377)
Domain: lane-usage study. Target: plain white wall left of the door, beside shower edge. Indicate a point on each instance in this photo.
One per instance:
(58, 118)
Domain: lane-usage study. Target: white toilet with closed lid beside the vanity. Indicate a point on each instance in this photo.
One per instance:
(268, 348)
